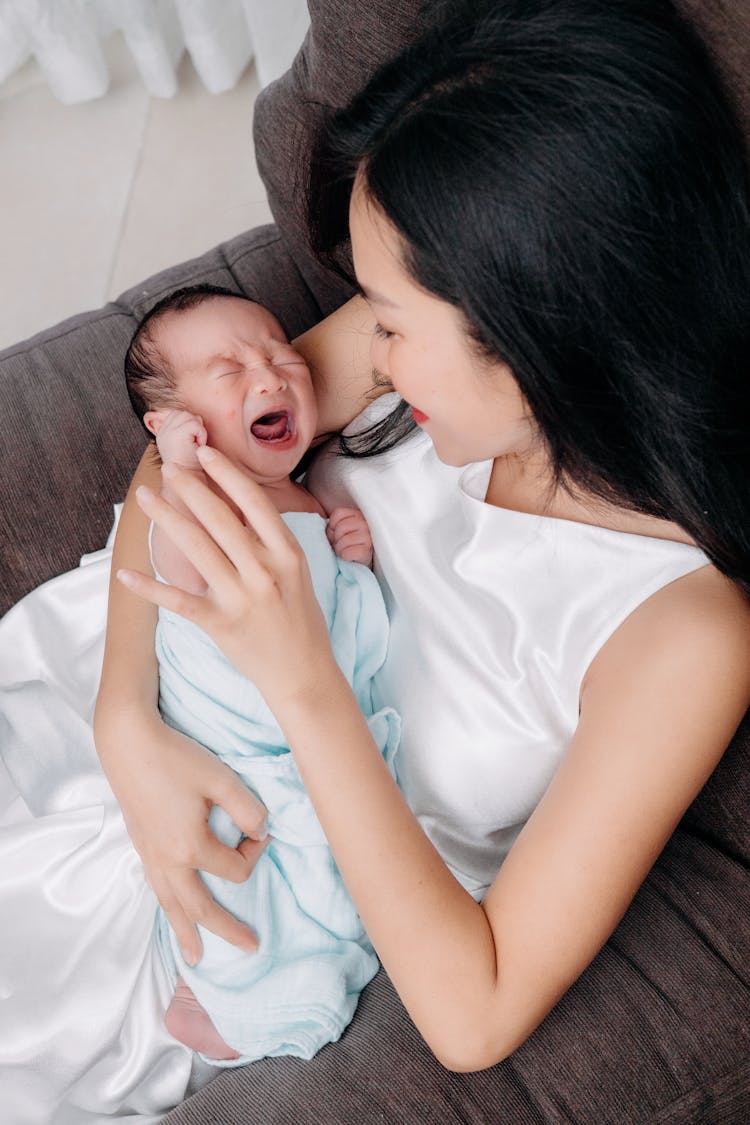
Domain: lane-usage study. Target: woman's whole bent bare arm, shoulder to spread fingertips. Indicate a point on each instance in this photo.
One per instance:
(659, 706)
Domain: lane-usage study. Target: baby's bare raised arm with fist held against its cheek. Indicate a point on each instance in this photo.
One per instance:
(178, 436)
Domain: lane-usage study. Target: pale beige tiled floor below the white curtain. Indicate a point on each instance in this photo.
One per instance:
(96, 197)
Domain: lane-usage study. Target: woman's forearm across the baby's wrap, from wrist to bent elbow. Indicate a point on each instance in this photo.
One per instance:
(432, 938)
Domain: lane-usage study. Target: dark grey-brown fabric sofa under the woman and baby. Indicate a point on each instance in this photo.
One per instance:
(658, 1029)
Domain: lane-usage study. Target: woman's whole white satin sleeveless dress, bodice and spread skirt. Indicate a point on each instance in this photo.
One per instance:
(495, 618)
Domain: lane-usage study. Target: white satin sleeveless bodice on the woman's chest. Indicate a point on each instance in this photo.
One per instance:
(495, 617)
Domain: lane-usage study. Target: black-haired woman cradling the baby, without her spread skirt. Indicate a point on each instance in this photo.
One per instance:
(549, 218)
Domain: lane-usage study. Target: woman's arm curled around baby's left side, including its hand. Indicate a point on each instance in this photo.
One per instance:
(165, 784)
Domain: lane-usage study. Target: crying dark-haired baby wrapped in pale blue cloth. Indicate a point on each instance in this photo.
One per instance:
(209, 366)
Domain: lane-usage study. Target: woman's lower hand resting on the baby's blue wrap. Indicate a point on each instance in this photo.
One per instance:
(168, 823)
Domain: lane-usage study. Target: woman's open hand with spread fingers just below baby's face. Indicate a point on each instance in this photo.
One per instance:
(260, 607)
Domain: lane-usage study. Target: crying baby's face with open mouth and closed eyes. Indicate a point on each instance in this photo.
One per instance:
(237, 370)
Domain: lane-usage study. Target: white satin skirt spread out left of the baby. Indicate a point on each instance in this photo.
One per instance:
(83, 987)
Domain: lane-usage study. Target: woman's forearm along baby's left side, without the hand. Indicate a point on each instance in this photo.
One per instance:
(129, 676)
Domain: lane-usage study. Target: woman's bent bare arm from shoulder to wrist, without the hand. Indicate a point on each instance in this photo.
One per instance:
(478, 980)
